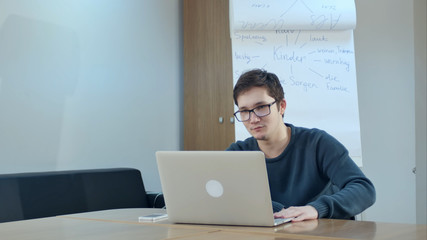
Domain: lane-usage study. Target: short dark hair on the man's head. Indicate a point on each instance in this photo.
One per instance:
(259, 78)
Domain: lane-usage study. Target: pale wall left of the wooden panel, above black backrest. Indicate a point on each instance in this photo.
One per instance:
(89, 84)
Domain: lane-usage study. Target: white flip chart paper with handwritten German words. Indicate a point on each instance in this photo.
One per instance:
(309, 46)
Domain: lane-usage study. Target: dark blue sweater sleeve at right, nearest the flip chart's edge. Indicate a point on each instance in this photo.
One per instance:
(355, 191)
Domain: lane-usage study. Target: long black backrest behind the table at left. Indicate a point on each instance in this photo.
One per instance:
(45, 194)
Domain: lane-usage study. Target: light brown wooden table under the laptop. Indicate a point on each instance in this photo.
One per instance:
(123, 224)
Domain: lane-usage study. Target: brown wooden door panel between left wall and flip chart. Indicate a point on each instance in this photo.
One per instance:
(208, 84)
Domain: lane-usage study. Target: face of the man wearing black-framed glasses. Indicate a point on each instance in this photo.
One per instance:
(261, 128)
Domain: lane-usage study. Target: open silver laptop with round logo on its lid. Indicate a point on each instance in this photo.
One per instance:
(216, 187)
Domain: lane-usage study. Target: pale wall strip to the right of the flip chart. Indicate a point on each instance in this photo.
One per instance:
(384, 45)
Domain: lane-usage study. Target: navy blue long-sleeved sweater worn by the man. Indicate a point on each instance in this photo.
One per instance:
(315, 169)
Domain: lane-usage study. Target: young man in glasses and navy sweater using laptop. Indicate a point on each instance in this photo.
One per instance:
(310, 173)
